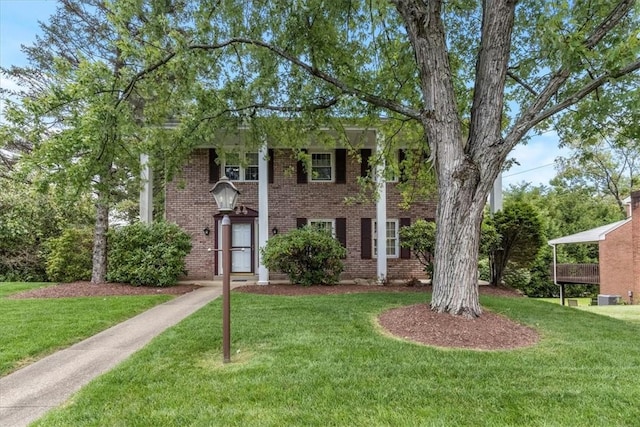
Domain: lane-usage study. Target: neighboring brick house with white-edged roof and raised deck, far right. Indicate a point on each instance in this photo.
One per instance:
(619, 256)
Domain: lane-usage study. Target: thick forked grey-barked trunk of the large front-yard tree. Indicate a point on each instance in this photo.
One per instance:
(465, 166)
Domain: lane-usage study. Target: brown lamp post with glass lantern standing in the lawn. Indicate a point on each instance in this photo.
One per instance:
(226, 196)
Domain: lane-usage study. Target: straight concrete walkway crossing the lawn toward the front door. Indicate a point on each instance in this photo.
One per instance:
(29, 393)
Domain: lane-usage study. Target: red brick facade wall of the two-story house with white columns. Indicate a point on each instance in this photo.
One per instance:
(190, 205)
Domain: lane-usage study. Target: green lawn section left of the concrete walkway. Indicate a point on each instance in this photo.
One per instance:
(33, 328)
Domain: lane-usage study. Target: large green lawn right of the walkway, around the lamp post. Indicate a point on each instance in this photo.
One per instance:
(321, 361)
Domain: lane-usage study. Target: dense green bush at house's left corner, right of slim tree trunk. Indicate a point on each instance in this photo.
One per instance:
(152, 255)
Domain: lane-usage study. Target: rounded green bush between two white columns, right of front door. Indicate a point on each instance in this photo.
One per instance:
(308, 256)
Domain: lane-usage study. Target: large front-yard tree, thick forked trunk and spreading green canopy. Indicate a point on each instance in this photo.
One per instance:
(475, 77)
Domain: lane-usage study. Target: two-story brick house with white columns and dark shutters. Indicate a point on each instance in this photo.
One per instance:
(279, 193)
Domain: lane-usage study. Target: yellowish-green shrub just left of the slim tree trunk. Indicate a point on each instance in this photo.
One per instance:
(69, 256)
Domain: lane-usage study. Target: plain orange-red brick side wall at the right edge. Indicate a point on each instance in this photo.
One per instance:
(616, 262)
